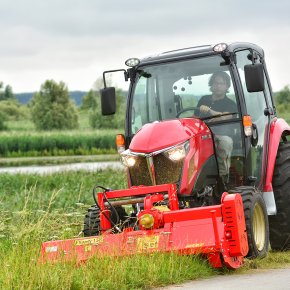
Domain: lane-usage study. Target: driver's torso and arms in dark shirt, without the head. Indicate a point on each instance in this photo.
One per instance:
(222, 105)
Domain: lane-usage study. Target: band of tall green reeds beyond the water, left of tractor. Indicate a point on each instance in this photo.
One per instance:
(19, 144)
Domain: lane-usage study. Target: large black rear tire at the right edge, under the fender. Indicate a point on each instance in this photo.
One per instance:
(280, 223)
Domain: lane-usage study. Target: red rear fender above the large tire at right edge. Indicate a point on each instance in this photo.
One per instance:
(277, 128)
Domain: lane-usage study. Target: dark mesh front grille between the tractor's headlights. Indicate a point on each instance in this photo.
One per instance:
(166, 171)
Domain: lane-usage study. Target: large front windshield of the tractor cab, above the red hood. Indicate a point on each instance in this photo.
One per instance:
(162, 91)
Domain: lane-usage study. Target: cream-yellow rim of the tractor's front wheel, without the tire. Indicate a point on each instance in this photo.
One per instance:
(259, 227)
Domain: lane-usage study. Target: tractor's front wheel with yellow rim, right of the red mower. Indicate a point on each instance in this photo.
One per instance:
(256, 221)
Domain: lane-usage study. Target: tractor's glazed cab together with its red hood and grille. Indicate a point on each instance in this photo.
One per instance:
(169, 89)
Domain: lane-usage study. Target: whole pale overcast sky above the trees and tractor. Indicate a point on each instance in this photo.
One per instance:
(76, 40)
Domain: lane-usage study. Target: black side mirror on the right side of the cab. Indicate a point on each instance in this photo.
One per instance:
(254, 75)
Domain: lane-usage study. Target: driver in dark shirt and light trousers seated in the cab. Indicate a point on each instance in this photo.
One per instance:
(217, 104)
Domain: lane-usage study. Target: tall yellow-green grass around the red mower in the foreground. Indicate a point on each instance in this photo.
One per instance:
(35, 208)
